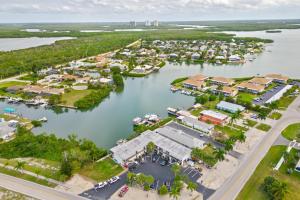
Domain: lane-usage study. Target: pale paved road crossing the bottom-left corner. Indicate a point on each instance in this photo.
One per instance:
(34, 190)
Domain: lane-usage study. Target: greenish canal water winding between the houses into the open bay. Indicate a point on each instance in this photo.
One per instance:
(112, 119)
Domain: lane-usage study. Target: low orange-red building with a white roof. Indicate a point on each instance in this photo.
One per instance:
(213, 117)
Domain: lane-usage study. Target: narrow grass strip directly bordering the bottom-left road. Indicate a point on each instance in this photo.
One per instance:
(26, 177)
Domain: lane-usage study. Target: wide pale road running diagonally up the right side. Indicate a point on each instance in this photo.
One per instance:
(231, 188)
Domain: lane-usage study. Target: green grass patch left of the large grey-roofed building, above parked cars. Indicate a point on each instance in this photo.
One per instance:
(101, 171)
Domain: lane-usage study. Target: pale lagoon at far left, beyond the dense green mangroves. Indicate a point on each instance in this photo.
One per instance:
(9, 44)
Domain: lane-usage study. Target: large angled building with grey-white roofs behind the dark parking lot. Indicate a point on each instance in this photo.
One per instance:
(175, 145)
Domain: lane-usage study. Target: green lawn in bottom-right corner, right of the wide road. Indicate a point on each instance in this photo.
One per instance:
(253, 190)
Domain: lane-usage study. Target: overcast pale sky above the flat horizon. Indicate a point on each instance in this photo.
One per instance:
(140, 10)
